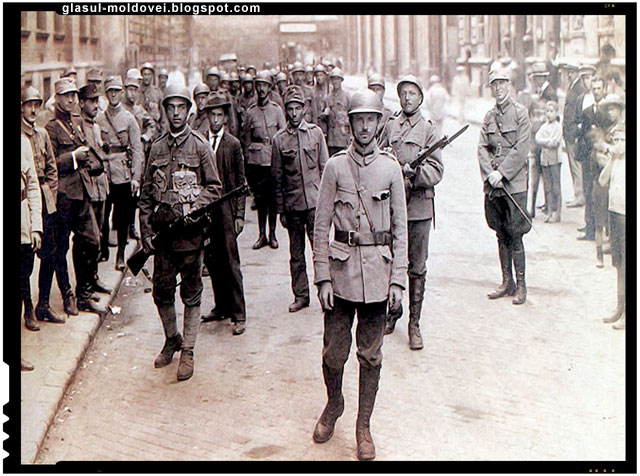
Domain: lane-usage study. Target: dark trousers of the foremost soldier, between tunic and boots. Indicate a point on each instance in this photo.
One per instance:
(369, 333)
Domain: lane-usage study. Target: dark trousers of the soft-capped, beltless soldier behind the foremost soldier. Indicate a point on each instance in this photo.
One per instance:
(299, 225)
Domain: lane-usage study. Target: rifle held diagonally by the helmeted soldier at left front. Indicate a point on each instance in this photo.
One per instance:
(170, 231)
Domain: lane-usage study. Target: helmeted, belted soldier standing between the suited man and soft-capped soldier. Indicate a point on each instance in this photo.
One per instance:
(264, 119)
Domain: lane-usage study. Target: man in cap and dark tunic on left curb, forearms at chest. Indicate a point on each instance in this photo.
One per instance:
(76, 188)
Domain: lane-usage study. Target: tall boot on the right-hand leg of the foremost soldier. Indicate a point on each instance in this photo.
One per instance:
(369, 378)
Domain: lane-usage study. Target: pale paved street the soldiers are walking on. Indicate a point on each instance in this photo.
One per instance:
(542, 381)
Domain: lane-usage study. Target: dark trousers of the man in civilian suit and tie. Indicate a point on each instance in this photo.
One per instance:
(222, 259)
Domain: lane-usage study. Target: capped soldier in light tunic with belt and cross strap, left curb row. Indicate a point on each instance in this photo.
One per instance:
(124, 163)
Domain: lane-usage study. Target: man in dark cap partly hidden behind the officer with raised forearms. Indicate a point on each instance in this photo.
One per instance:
(89, 97)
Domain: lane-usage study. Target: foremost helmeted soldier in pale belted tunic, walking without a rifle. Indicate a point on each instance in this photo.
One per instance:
(364, 268)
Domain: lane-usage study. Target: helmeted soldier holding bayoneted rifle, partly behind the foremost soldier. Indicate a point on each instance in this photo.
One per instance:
(408, 133)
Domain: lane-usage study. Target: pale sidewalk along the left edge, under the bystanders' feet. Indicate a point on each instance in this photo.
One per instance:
(56, 350)
